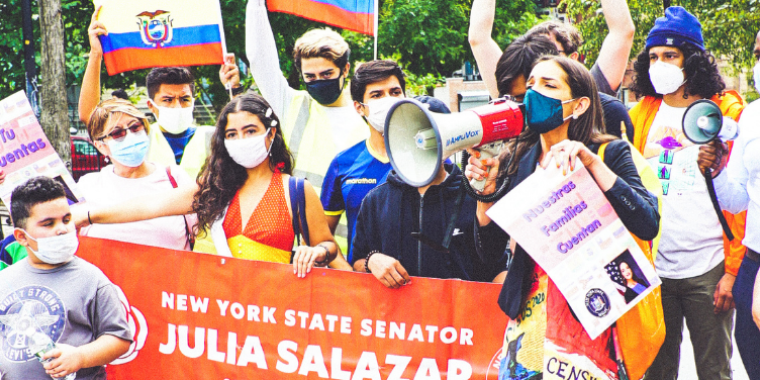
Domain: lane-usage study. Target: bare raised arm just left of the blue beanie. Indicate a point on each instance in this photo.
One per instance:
(616, 48)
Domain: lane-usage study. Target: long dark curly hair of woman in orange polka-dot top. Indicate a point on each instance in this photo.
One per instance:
(221, 177)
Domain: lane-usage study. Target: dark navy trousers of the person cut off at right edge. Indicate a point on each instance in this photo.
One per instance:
(747, 334)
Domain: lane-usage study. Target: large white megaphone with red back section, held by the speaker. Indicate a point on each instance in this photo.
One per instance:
(417, 140)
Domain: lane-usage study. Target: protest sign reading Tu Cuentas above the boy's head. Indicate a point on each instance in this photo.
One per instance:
(26, 151)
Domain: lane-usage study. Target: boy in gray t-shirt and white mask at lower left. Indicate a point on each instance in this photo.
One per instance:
(55, 298)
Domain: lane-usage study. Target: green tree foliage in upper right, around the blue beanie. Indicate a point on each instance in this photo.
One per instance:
(729, 27)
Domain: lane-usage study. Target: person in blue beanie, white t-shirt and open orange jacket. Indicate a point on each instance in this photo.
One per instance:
(696, 264)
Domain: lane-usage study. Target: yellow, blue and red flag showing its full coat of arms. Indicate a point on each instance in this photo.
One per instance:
(161, 33)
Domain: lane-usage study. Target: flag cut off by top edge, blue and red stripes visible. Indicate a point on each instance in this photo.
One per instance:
(356, 15)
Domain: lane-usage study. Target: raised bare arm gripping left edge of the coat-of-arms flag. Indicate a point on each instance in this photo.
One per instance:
(89, 97)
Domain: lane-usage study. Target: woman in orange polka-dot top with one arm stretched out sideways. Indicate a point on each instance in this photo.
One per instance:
(241, 196)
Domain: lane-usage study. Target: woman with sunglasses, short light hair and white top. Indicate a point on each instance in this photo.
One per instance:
(120, 132)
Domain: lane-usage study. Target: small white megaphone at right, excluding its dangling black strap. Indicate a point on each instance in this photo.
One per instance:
(704, 122)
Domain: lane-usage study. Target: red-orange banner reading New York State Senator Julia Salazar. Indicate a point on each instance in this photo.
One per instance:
(221, 318)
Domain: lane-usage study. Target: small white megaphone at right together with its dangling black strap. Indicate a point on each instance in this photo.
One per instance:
(702, 123)
